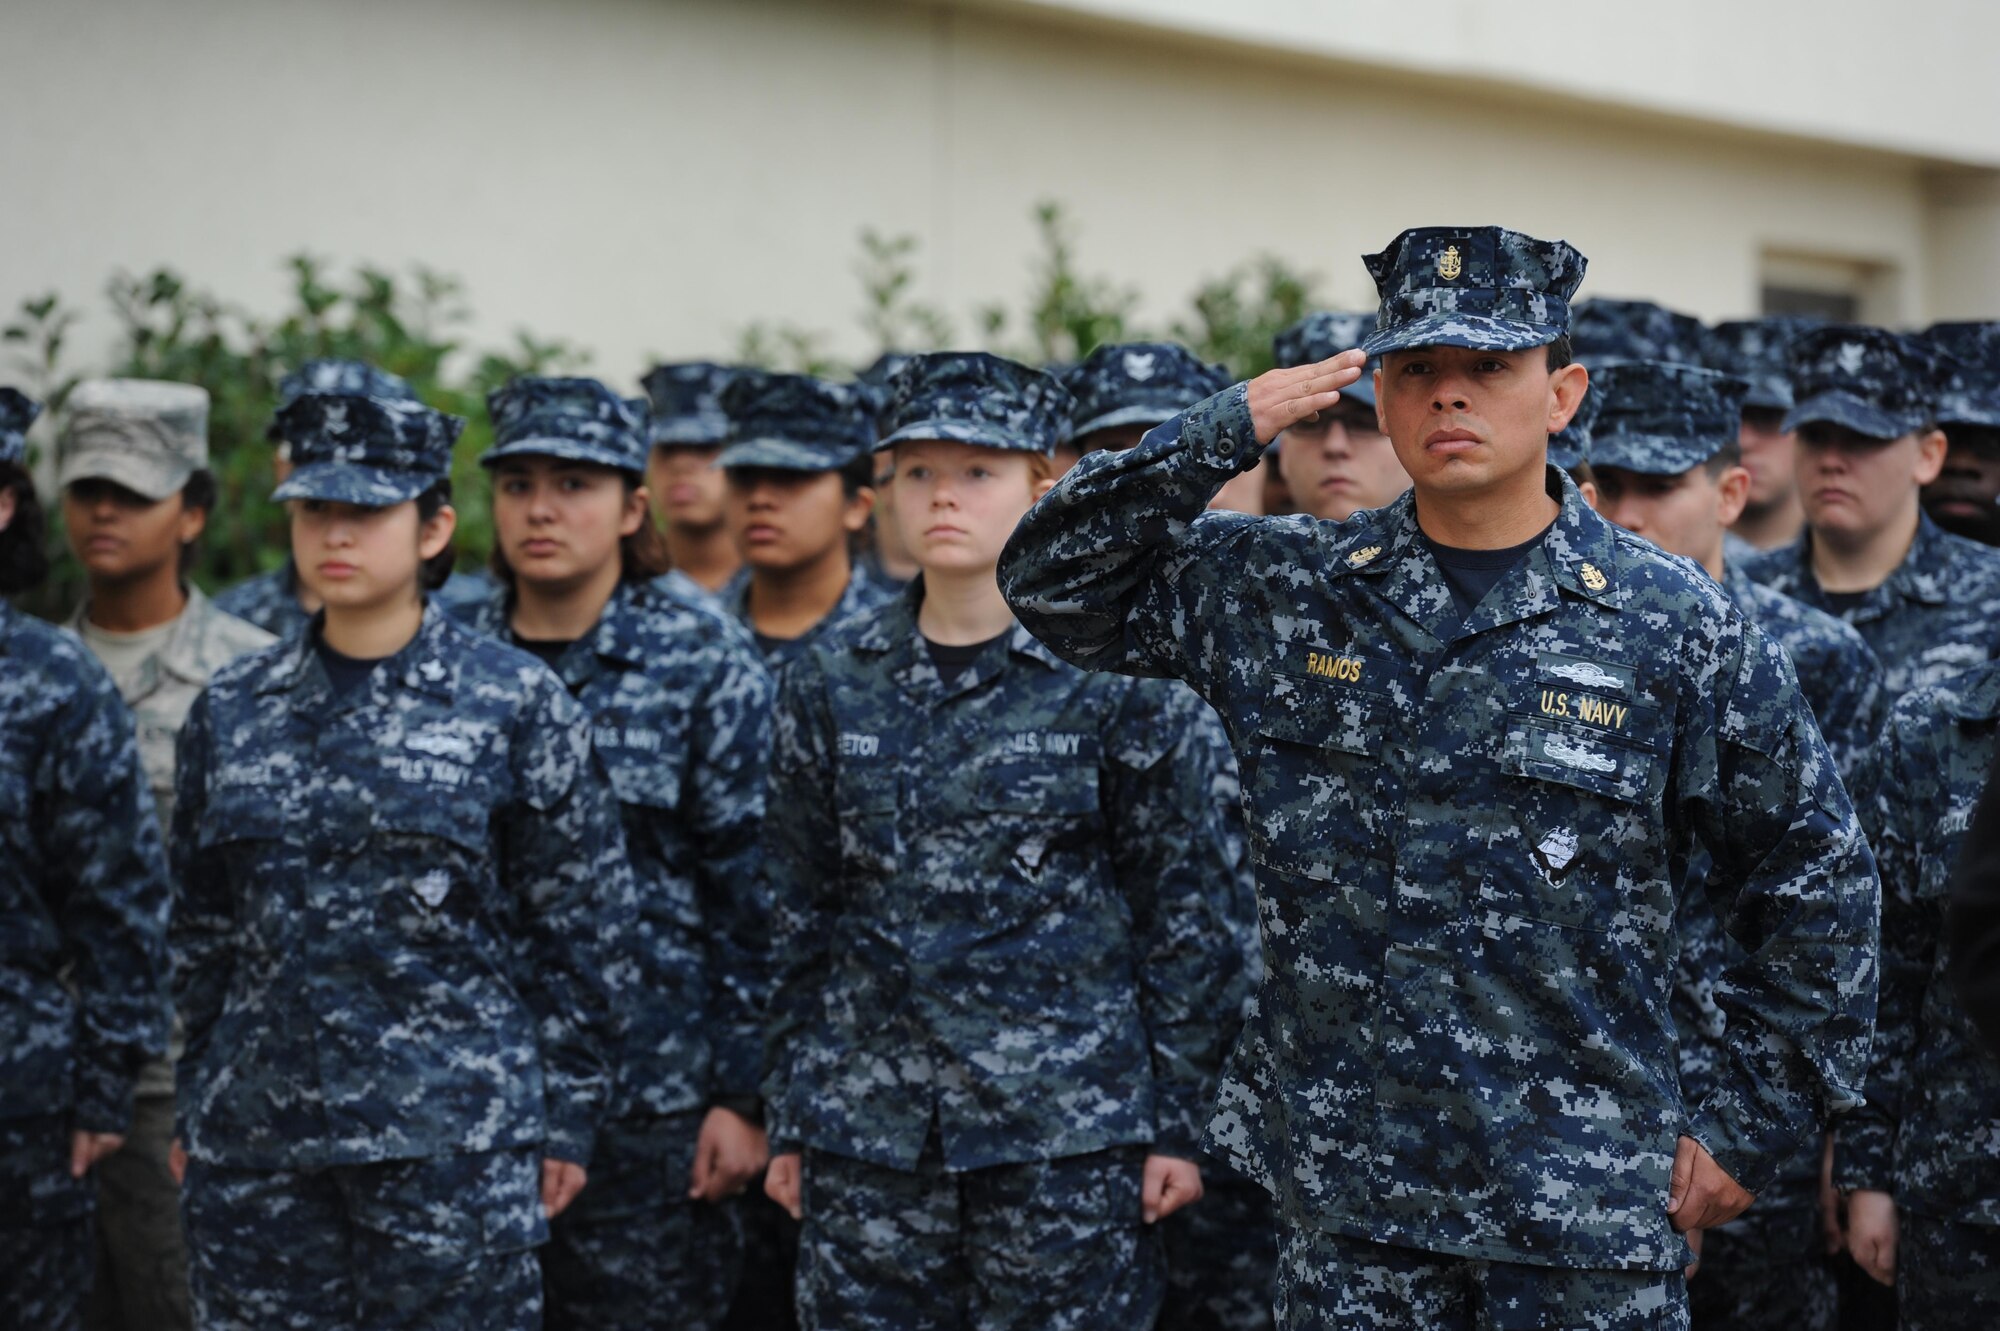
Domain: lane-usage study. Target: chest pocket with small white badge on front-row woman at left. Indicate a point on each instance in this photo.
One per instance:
(433, 864)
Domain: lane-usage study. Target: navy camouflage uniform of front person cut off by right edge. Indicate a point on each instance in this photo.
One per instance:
(1931, 1130)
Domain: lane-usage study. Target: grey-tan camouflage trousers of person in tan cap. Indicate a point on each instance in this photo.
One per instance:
(143, 1260)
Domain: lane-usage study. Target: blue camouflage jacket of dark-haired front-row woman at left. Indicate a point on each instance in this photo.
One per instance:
(391, 908)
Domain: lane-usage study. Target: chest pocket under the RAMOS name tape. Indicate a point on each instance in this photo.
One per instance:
(1317, 784)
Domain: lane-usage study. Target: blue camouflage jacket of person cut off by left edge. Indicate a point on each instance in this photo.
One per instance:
(83, 886)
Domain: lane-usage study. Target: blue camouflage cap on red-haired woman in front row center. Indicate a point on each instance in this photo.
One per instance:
(977, 399)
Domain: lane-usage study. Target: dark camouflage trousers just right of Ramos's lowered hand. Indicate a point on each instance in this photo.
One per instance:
(1765, 1270)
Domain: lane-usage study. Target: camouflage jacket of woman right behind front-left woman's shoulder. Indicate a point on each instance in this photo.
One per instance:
(681, 718)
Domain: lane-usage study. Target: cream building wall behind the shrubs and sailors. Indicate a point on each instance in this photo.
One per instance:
(649, 177)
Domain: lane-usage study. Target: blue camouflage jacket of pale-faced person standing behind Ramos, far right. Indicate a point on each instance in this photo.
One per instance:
(1939, 615)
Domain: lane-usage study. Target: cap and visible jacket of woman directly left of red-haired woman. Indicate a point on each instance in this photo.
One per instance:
(795, 423)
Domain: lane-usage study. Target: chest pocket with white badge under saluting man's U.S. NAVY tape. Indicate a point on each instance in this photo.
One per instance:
(1581, 840)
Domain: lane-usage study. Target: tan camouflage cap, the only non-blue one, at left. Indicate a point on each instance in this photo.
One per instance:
(143, 435)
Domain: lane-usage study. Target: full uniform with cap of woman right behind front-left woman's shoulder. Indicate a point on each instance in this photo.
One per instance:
(681, 718)
